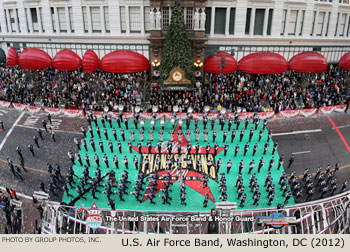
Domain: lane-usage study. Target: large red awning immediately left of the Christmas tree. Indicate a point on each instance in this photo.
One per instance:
(124, 62)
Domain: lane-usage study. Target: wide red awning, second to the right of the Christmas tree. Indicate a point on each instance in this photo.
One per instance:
(263, 63)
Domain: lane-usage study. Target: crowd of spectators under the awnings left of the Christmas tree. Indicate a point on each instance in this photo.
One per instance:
(71, 90)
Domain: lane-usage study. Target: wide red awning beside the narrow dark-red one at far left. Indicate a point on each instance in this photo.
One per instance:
(33, 58)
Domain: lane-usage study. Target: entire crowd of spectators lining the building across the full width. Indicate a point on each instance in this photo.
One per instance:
(236, 91)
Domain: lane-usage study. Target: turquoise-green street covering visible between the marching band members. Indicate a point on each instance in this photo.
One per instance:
(194, 199)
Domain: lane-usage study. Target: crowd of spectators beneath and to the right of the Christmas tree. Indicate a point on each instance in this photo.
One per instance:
(258, 93)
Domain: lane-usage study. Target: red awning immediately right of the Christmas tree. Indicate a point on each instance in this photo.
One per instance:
(213, 64)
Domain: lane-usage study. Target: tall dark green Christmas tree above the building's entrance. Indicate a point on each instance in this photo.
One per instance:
(177, 50)
